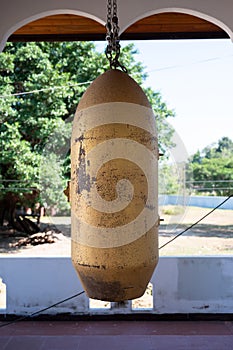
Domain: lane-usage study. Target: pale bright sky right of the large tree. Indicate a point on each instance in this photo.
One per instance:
(195, 78)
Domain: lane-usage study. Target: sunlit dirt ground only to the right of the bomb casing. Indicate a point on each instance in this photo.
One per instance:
(212, 236)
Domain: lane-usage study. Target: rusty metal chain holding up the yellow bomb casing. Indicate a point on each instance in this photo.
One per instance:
(112, 37)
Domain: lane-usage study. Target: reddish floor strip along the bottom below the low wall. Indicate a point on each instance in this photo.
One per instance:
(117, 335)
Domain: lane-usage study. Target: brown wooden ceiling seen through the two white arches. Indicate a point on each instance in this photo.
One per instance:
(77, 28)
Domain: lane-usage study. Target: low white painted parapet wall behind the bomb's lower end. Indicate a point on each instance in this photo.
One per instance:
(180, 284)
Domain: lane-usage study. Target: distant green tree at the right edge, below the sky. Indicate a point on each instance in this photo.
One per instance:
(212, 169)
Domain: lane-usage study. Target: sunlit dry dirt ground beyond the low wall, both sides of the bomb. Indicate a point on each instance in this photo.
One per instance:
(213, 236)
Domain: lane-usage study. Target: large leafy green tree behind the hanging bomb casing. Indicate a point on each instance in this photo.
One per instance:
(35, 126)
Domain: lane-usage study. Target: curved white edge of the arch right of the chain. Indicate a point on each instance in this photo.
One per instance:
(184, 11)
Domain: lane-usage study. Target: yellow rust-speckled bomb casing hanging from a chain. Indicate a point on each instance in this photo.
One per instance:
(113, 190)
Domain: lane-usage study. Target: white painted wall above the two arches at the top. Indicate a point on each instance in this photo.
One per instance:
(16, 13)
